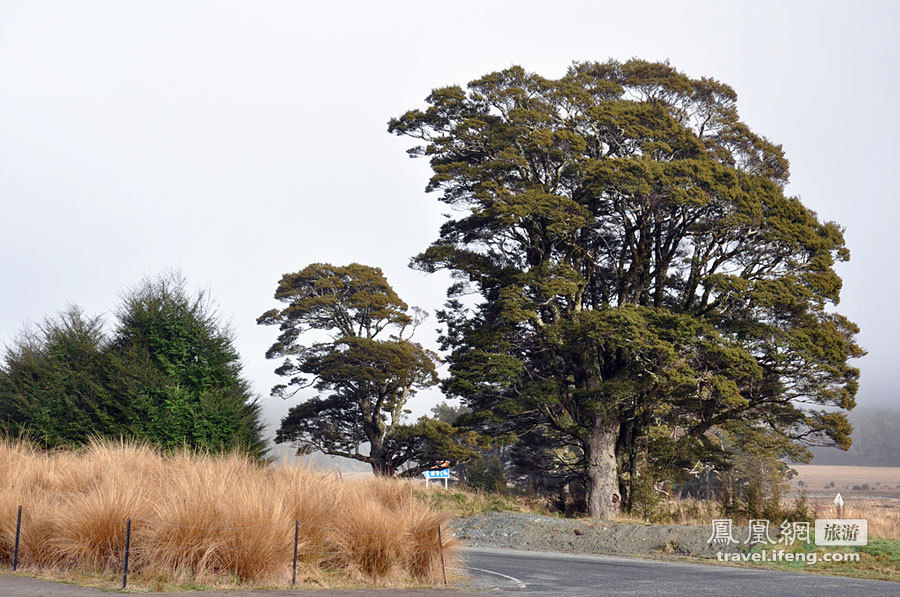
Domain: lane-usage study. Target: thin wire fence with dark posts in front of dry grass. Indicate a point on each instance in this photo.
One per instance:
(129, 549)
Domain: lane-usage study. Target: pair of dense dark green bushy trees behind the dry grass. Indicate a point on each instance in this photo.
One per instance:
(168, 374)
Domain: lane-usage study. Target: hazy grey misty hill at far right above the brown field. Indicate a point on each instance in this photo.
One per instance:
(876, 440)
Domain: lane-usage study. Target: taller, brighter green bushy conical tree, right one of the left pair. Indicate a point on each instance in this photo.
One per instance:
(183, 372)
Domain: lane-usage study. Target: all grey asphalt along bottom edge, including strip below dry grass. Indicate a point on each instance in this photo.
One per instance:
(560, 575)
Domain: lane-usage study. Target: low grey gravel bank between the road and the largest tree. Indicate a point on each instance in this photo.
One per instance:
(544, 533)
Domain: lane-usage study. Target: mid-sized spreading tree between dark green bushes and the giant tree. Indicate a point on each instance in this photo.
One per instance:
(345, 332)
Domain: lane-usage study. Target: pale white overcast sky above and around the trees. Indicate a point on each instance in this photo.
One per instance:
(237, 141)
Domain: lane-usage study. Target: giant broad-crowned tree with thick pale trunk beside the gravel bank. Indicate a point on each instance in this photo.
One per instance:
(633, 257)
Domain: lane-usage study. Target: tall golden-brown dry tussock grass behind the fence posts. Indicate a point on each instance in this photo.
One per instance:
(215, 519)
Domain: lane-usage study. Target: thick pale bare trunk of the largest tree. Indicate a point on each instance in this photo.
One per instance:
(600, 458)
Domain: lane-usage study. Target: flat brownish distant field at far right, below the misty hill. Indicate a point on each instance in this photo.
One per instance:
(861, 481)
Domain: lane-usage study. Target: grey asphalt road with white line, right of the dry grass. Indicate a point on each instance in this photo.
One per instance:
(532, 573)
